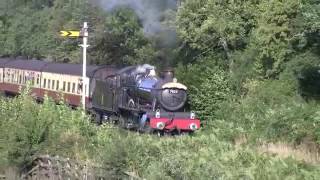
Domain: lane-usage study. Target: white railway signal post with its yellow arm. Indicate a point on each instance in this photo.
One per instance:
(84, 34)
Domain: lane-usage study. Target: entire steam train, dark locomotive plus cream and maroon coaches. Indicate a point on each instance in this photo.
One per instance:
(134, 97)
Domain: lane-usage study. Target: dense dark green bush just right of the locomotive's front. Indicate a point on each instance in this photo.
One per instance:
(208, 86)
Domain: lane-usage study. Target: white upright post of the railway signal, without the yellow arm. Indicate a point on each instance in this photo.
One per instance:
(85, 45)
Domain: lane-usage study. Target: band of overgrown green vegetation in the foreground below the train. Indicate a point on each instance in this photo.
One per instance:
(30, 129)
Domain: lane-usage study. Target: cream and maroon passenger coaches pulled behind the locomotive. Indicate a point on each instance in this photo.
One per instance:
(53, 79)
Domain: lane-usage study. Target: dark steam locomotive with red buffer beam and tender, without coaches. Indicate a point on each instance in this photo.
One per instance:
(143, 100)
